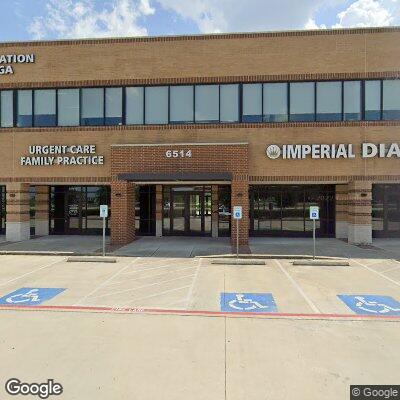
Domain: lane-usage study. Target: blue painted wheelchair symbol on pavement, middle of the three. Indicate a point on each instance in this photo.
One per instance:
(248, 302)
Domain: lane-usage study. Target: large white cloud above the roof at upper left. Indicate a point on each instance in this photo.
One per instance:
(81, 19)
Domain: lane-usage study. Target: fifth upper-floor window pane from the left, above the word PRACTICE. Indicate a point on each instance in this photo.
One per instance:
(92, 106)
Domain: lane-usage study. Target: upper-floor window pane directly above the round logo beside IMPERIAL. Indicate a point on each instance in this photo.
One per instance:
(275, 102)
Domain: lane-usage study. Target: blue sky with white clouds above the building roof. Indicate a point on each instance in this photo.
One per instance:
(65, 19)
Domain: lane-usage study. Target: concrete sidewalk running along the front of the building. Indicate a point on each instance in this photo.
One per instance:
(187, 247)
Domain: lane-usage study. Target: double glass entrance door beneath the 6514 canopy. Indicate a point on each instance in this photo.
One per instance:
(187, 210)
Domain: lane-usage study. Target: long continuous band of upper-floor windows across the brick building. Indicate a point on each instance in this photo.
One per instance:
(273, 102)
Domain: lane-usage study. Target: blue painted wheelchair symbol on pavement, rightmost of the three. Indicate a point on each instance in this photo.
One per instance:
(371, 305)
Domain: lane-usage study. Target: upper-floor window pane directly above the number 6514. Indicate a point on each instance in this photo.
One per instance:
(181, 104)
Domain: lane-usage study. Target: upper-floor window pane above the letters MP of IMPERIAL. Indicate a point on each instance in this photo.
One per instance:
(302, 101)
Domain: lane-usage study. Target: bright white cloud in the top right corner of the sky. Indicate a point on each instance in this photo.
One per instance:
(363, 13)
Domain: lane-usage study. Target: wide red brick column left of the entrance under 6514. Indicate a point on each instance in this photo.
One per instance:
(123, 212)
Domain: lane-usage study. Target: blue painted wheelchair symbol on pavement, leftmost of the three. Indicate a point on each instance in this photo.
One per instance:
(30, 296)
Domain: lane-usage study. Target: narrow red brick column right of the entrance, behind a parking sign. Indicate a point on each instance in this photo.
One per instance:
(240, 197)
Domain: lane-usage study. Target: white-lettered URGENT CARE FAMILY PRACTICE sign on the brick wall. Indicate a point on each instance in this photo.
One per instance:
(49, 155)
